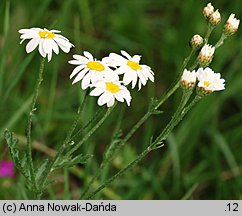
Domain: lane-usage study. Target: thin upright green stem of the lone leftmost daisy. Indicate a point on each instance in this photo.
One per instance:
(30, 119)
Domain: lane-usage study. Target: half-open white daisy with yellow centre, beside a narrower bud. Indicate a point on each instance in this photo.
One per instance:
(209, 81)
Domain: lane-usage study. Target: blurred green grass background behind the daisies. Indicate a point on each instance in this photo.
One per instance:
(201, 159)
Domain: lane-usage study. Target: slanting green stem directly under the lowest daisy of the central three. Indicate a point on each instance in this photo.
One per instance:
(85, 138)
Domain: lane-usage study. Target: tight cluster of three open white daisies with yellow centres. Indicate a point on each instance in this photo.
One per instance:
(105, 75)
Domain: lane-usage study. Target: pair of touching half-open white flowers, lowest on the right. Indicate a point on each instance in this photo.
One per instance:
(208, 81)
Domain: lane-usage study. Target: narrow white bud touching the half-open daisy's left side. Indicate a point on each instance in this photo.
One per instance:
(188, 79)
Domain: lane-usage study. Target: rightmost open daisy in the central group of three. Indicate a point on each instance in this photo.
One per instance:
(130, 67)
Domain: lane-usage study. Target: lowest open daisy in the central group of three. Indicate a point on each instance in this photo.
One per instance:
(110, 90)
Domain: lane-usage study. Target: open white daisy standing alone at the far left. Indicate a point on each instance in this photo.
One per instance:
(47, 40)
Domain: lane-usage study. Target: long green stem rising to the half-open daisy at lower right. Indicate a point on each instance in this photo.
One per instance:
(150, 147)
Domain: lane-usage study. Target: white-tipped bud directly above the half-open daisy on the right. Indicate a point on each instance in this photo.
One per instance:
(206, 55)
